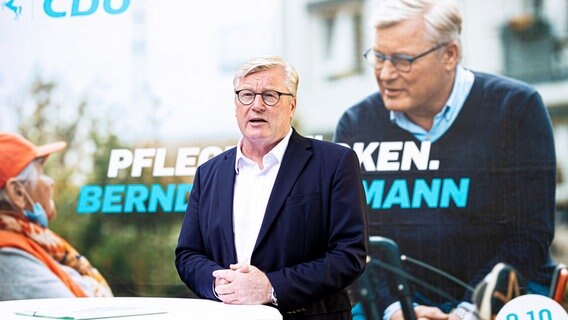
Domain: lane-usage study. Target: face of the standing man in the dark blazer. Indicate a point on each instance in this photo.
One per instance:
(264, 126)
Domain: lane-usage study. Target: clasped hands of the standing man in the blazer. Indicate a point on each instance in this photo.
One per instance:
(242, 284)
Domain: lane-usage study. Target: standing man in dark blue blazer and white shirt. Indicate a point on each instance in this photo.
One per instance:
(280, 219)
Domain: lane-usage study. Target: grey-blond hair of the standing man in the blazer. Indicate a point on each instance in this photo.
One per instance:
(263, 63)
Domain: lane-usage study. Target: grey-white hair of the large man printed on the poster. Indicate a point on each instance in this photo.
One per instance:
(442, 18)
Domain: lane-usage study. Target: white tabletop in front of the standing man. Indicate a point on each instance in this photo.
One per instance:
(174, 308)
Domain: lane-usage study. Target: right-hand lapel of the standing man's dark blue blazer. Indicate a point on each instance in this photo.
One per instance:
(295, 158)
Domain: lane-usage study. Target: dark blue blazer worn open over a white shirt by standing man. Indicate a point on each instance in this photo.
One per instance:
(312, 242)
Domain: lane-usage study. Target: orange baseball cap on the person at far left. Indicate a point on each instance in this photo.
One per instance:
(16, 153)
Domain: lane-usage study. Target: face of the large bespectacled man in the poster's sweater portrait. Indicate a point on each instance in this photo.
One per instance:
(423, 91)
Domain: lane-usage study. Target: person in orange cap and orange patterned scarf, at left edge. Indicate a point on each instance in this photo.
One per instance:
(35, 262)
